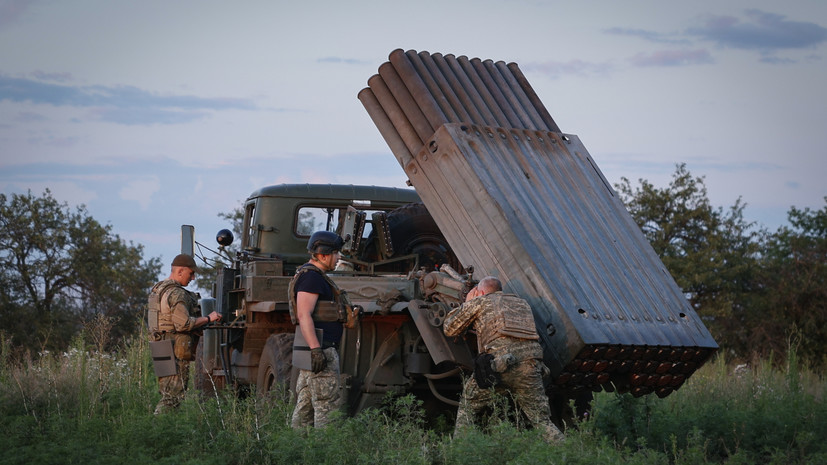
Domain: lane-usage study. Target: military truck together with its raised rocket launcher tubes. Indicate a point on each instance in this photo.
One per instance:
(499, 190)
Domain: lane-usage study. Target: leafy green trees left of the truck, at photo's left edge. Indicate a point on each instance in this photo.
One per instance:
(61, 268)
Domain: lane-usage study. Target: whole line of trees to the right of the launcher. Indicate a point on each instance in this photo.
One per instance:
(759, 292)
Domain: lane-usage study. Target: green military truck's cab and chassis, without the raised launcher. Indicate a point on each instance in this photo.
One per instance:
(396, 267)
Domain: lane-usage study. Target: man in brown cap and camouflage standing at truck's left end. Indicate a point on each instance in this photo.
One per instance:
(177, 319)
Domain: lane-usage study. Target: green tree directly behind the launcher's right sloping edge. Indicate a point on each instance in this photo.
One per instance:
(711, 253)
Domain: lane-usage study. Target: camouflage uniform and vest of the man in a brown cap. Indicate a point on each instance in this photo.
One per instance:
(176, 321)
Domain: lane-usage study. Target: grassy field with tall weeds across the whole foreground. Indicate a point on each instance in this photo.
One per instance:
(86, 407)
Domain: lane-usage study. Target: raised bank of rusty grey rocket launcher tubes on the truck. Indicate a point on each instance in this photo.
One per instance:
(517, 198)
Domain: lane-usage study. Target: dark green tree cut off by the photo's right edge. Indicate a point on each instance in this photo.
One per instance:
(792, 303)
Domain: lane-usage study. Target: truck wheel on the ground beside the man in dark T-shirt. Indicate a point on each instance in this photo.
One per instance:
(276, 377)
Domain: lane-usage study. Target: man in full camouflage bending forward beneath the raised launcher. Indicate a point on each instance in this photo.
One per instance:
(510, 356)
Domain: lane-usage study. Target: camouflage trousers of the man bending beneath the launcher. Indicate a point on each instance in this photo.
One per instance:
(523, 381)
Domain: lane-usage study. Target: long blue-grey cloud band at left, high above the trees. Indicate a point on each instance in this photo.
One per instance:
(127, 105)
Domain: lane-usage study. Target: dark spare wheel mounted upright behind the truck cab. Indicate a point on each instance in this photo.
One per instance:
(414, 231)
